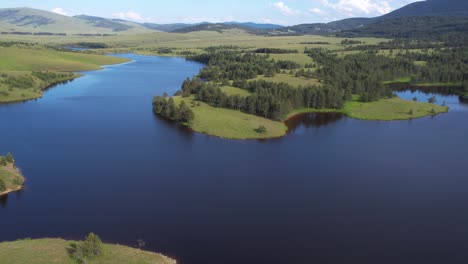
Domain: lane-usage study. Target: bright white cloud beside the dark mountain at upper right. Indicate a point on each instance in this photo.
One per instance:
(359, 7)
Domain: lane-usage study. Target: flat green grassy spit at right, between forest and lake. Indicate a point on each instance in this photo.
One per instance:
(391, 109)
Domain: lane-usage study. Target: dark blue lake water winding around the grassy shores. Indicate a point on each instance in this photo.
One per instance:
(335, 190)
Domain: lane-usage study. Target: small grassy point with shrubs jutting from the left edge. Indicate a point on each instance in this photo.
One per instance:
(11, 179)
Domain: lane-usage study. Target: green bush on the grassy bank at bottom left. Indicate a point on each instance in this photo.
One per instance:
(86, 250)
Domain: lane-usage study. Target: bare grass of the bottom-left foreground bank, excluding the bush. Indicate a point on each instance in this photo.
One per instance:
(47, 251)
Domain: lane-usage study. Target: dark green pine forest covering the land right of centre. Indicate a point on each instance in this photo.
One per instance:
(362, 74)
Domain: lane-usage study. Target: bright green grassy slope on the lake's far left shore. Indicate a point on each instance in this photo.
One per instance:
(26, 70)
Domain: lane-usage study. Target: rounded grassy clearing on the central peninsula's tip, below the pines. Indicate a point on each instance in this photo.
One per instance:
(231, 124)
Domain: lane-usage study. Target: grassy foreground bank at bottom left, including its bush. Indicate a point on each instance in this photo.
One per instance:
(91, 250)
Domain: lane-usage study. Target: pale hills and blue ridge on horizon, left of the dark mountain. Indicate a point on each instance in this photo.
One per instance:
(28, 20)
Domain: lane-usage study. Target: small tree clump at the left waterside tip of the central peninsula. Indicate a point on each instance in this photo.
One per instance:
(167, 108)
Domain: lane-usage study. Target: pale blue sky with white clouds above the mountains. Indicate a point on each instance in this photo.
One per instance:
(285, 12)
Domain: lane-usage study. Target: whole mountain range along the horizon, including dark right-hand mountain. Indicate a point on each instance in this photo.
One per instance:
(421, 14)
